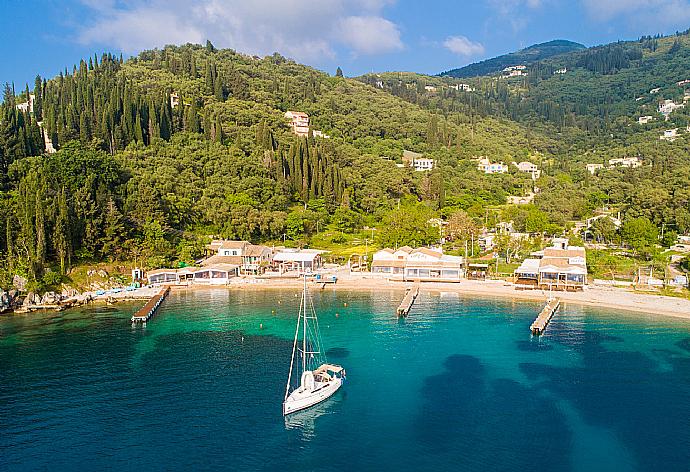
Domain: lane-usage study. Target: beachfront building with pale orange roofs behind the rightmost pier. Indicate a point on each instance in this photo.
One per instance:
(560, 267)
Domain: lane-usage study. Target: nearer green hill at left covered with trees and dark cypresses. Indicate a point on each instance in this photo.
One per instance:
(156, 153)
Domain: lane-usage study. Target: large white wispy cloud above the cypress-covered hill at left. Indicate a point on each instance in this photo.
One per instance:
(302, 29)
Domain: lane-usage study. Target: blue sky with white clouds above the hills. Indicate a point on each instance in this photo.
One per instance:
(360, 36)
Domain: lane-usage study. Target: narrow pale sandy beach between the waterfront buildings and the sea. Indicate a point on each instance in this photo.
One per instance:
(598, 297)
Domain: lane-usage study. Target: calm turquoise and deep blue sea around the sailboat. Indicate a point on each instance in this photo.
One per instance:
(459, 385)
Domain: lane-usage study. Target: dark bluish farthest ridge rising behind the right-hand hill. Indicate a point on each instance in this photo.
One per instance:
(525, 56)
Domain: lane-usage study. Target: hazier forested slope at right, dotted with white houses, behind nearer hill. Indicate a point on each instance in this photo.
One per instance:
(593, 94)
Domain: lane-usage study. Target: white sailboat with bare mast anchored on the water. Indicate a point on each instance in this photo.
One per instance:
(318, 380)
